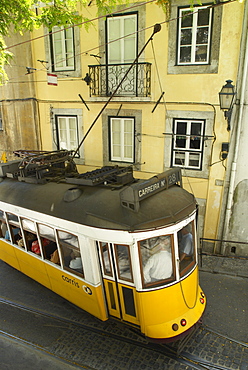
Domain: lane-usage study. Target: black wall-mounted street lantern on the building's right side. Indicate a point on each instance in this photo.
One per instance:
(226, 96)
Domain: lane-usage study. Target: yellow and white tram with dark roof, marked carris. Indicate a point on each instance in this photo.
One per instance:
(113, 245)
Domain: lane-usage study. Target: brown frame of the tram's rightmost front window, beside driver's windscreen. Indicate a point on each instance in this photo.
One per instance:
(186, 268)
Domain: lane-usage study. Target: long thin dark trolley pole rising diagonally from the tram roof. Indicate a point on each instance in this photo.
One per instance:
(157, 28)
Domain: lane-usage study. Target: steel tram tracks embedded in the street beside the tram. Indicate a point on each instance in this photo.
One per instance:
(186, 358)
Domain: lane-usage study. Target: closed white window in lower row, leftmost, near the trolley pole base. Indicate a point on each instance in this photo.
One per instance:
(67, 132)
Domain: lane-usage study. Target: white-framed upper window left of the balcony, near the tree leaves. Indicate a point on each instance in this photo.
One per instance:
(63, 51)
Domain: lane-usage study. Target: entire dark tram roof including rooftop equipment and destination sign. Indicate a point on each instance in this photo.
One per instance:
(109, 198)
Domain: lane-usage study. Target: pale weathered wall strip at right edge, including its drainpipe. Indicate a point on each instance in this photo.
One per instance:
(233, 225)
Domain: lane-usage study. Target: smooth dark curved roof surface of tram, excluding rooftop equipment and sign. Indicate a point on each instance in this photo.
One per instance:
(99, 207)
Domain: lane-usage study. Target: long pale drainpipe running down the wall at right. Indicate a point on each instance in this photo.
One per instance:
(243, 77)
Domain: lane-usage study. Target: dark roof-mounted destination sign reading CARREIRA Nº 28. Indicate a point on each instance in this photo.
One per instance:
(131, 196)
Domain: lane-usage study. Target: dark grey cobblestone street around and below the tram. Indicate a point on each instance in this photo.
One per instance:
(226, 314)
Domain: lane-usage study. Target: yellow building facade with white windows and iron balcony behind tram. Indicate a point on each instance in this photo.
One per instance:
(165, 113)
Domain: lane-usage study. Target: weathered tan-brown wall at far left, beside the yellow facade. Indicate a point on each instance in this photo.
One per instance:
(19, 108)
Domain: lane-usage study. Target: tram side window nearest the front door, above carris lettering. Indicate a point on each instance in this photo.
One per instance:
(70, 251)
